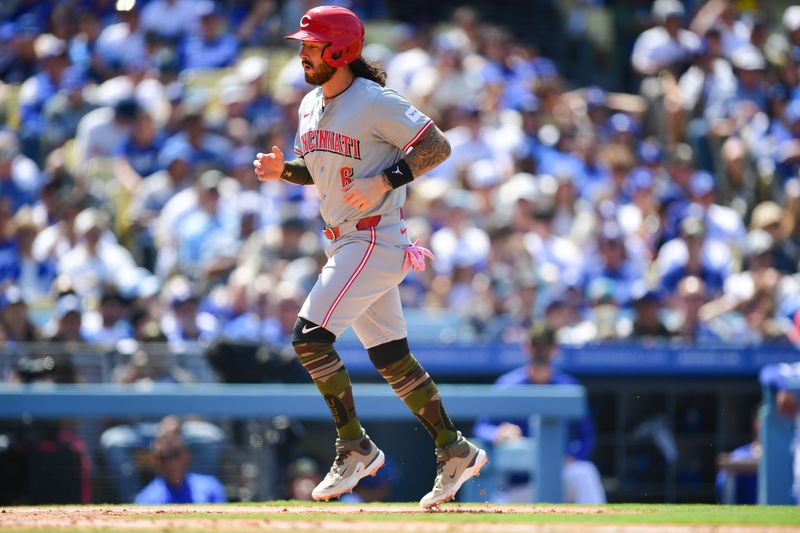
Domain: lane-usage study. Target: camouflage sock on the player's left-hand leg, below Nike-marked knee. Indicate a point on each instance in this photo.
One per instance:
(331, 378)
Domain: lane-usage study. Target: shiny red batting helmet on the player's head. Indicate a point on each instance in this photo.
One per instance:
(337, 26)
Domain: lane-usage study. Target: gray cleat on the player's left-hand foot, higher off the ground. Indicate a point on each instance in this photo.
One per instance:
(355, 459)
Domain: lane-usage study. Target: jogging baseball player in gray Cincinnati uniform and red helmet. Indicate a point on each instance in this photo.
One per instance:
(353, 144)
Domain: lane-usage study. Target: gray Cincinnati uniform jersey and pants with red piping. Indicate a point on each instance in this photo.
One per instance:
(362, 131)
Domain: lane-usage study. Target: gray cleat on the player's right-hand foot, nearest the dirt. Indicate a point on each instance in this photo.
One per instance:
(456, 463)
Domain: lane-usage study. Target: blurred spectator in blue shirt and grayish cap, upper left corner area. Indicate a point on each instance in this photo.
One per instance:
(51, 54)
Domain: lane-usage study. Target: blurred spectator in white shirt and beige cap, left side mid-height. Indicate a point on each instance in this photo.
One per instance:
(95, 261)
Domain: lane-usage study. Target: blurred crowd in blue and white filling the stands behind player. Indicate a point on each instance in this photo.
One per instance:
(129, 208)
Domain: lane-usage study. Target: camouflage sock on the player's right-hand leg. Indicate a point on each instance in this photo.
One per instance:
(418, 391)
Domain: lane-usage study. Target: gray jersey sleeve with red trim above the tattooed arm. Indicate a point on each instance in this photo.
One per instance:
(396, 121)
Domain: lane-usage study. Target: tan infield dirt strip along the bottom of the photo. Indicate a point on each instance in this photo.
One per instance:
(339, 518)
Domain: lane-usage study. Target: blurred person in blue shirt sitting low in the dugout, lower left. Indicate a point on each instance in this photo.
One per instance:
(174, 483)
